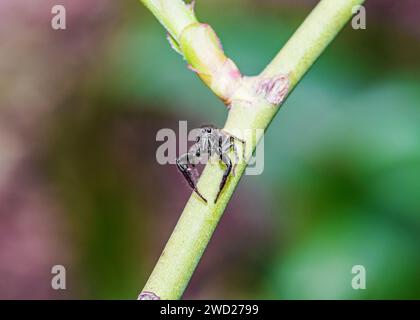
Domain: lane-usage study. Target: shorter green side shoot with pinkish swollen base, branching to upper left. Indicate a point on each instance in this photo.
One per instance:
(199, 45)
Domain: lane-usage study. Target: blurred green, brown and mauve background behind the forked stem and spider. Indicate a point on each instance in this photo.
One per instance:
(80, 185)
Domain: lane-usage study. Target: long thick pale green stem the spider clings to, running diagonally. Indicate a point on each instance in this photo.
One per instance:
(248, 111)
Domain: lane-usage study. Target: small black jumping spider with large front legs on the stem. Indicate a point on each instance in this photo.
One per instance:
(210, 141)
